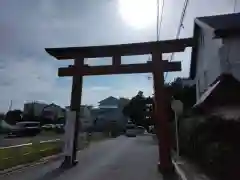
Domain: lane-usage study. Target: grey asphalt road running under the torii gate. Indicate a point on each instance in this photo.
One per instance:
(121, 158)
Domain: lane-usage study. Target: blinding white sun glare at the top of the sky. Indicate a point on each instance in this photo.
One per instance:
(138, 13)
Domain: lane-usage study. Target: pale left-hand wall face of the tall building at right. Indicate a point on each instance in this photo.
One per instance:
(208, 62)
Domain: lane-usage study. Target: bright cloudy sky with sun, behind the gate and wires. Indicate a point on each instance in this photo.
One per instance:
(28, 73)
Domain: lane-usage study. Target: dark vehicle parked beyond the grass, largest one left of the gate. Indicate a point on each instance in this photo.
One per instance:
(26, 128)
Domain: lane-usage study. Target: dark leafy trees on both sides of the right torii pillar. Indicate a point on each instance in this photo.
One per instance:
(140, 108)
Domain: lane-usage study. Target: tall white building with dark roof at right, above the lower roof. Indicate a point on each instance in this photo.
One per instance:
(216, 50)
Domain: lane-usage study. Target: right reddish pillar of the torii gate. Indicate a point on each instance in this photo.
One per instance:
(161, 114)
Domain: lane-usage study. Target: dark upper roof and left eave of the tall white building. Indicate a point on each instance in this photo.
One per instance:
(221, 25)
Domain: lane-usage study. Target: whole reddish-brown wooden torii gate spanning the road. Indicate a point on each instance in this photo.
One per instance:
(157, 66)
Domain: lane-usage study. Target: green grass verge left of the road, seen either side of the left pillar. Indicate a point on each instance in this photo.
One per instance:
(35, 150)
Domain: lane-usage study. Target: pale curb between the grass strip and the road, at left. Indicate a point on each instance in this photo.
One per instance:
(41, 161)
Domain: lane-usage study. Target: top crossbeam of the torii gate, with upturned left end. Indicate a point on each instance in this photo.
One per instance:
(167, 46)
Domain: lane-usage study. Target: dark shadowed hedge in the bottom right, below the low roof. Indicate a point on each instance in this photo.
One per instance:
(213, 143)
